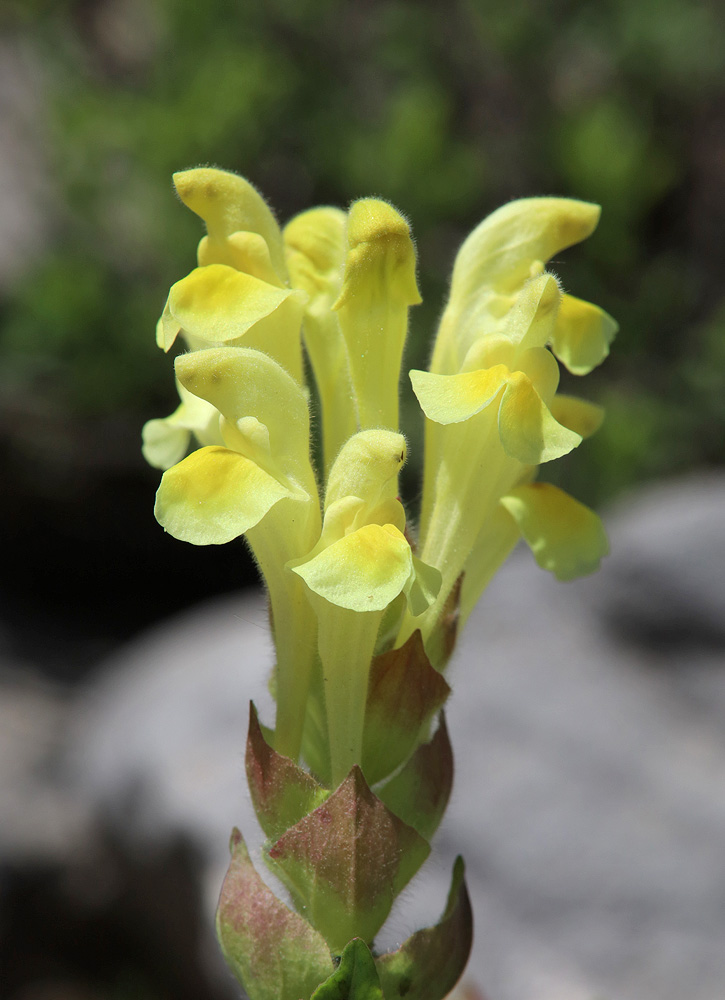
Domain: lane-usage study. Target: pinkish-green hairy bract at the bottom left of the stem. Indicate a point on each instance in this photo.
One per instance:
(273, 952)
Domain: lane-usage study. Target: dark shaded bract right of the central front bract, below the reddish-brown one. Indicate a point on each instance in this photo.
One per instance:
(420, 792)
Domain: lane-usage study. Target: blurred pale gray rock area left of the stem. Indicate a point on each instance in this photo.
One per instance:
(159, 749)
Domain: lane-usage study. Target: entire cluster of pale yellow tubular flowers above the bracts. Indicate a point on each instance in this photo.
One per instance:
(349, 579)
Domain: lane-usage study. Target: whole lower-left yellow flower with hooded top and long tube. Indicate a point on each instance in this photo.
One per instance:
(261, 484)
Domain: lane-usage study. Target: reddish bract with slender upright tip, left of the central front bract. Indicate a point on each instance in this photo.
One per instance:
(282, 793)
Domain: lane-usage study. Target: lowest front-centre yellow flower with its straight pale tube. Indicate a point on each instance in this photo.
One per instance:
(360, 565)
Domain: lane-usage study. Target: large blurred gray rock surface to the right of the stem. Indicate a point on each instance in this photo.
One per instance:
(588, 804)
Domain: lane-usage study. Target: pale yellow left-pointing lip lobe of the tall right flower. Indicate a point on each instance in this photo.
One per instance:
(449, 399)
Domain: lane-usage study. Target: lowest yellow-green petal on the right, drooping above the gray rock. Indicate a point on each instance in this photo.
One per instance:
(566, 537)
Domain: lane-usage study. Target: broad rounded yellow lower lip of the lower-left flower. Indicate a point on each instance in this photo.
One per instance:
(215, 495)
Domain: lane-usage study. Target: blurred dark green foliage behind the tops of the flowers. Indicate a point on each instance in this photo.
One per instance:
(446, 111)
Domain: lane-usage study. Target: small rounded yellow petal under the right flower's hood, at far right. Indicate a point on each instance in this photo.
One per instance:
(582, 335)
